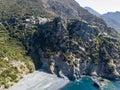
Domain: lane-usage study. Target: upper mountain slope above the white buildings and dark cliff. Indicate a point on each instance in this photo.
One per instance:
(66, 9)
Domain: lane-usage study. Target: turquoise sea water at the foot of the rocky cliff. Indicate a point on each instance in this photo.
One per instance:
(87, 84)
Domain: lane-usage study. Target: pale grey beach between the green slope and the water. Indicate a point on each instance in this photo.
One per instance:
(40, 80)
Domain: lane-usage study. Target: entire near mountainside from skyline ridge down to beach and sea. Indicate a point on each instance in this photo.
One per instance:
(58, 36)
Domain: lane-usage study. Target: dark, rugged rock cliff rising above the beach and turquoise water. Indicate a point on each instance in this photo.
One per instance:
(76, 49)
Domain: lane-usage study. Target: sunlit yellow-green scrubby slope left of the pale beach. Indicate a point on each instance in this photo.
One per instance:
(12, 57)
